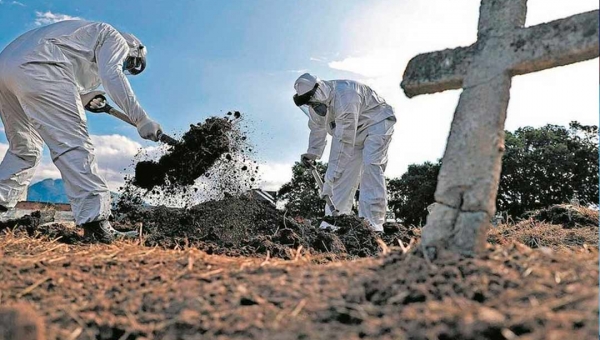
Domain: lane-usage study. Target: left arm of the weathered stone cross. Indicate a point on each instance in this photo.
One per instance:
(437, 71)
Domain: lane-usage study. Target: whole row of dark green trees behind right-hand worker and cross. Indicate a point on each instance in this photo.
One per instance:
(541, 166)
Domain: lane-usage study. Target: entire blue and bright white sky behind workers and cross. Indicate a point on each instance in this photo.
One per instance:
(206, 58)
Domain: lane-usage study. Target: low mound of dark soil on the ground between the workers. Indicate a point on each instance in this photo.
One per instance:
(249, 227)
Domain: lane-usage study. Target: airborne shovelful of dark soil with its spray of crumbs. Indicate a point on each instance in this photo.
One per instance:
(212, 160)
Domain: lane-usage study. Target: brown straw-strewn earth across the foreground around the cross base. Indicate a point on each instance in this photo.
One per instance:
(538, 279)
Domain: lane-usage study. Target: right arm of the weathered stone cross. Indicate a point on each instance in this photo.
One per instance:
(556, 43)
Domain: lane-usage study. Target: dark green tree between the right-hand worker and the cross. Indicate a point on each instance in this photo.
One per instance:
(410, 194)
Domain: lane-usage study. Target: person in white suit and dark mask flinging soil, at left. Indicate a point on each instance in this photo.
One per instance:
(42, 75)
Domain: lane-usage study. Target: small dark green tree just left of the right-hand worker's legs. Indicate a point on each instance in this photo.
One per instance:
(301, 194)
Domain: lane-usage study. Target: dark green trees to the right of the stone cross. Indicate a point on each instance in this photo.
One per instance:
(548, 165)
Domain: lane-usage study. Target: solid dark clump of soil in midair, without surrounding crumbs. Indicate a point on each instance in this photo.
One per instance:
(198, 150)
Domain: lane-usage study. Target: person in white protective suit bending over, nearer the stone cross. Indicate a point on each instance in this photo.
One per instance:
(361, 125)
